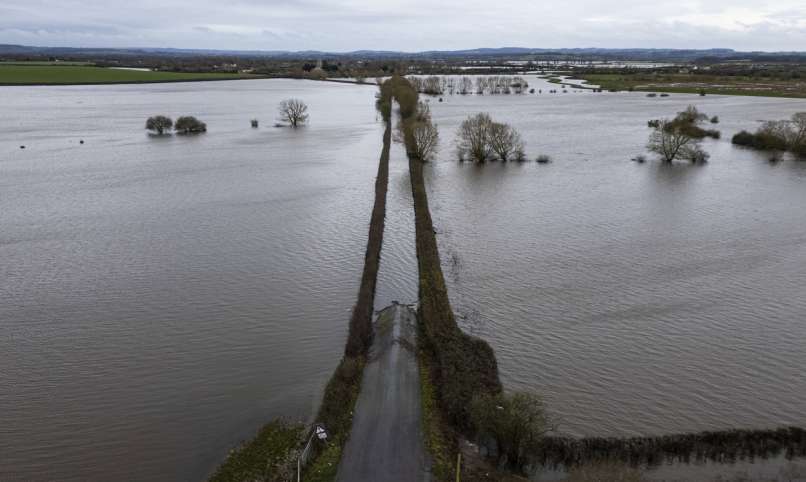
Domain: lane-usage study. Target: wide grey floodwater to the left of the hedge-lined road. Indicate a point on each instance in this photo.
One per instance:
(161, 298)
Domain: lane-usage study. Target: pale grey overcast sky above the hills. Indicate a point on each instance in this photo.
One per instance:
(409, 25)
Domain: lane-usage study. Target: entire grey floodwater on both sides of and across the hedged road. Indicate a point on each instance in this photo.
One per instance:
(160, 298)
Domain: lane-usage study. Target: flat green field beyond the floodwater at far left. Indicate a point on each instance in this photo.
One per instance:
(38, 74)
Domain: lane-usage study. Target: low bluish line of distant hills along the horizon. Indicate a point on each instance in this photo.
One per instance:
(679, 55)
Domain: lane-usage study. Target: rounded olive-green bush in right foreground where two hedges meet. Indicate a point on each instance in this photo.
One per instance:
(517, 422)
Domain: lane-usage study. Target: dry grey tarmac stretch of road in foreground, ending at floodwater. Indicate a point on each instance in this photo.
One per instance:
(385, 441)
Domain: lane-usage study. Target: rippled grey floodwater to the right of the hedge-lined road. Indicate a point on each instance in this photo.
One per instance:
(635, 298)
